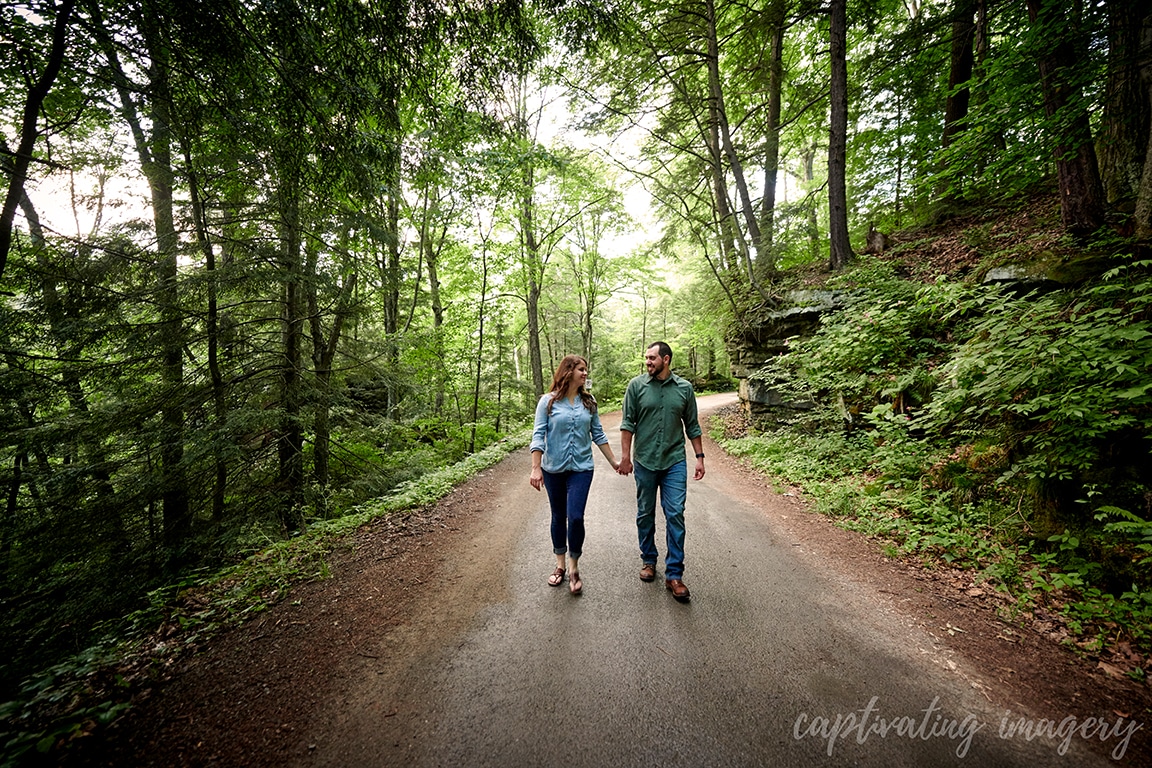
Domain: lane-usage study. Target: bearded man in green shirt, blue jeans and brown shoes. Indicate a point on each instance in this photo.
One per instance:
(660, 408)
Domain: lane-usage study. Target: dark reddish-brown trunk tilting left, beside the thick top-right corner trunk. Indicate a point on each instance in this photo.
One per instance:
(1081, 192)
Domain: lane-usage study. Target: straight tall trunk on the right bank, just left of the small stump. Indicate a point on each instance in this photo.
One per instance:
(840, 250)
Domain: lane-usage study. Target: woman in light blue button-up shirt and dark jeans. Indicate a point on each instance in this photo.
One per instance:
(567, 424)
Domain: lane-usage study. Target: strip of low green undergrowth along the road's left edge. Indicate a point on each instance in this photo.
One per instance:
(72, 699)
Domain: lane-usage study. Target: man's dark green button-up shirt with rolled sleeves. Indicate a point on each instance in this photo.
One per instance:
(660, 414)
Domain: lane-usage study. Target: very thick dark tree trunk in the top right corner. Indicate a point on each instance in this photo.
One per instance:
(1126, 119)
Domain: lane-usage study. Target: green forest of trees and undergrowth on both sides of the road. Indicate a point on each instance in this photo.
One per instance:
(264, 263)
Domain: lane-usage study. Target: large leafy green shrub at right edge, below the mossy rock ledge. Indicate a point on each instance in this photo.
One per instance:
(1062, 382)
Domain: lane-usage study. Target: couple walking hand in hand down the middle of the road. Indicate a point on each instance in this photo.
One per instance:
(660, 409)
